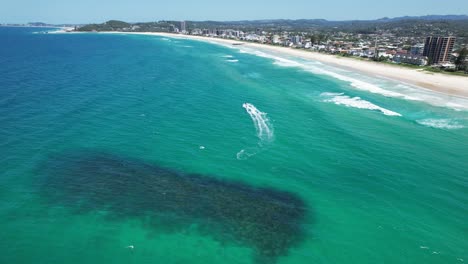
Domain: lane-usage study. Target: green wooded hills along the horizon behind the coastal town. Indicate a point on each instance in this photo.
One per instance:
(404, 26)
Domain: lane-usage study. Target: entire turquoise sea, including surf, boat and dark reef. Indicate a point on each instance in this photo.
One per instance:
(142, 149)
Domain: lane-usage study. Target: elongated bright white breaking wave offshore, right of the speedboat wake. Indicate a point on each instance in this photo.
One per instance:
(356, 102)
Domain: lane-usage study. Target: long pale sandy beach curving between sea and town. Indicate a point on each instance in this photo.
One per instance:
(456, 86)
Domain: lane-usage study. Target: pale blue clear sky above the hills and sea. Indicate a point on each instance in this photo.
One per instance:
(87, 11)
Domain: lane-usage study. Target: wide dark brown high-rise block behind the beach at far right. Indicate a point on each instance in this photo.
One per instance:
(438, 49)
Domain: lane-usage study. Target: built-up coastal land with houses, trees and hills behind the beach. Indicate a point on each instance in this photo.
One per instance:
(396, 35)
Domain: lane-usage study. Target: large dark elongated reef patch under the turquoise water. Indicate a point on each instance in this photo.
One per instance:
(267, 220)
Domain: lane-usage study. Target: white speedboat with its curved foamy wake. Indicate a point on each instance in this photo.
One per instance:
(264, 130)
